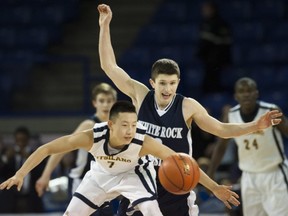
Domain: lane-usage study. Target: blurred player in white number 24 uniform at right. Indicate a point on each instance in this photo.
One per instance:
(264, 181)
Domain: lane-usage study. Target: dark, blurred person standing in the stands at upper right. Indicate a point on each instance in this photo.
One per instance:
(214, 48)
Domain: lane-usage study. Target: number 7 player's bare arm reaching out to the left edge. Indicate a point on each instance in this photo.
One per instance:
(60, 145)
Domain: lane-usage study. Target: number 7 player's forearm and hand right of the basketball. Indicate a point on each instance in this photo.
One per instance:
(222, 192)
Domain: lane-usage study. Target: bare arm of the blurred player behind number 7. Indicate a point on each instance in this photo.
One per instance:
(42, 183)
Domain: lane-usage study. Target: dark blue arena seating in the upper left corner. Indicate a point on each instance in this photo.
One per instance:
(27, 28)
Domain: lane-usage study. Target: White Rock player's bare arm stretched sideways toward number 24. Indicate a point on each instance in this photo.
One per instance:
(229, 130)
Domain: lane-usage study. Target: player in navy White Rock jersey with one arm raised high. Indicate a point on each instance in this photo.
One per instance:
(168, 115)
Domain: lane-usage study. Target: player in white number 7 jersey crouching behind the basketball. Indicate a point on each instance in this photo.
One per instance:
(116, 146)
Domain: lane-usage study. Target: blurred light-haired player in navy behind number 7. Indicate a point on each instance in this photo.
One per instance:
(103, 97)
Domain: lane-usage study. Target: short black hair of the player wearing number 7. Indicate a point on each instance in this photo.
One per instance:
(121, 107)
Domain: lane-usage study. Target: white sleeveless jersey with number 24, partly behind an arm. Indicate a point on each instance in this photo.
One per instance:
(260, 151)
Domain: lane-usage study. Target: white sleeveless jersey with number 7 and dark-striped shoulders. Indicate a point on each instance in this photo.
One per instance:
(121, 162)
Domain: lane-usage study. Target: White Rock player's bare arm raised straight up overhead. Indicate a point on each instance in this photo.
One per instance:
(132, 88)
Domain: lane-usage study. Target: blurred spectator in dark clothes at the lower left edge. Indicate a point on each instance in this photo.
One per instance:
(12, 157)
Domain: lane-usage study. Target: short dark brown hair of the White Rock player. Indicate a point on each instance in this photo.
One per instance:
(164, 66)
